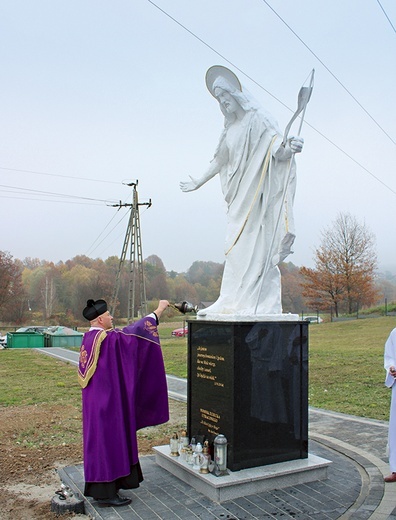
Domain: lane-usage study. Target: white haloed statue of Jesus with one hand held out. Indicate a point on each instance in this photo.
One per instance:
(258, 178)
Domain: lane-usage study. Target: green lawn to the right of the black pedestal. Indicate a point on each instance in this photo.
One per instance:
(346, 371)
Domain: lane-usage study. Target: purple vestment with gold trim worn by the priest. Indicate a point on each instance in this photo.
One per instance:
(124, 389)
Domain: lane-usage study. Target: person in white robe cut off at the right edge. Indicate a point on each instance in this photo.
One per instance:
(390, 367)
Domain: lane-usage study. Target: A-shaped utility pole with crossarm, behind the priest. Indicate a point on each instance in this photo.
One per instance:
(132, 239)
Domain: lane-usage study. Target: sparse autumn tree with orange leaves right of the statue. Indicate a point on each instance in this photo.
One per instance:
(345, 265)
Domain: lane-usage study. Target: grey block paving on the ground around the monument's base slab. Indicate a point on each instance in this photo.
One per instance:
(163, 496)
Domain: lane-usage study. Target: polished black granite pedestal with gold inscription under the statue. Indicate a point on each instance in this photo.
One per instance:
(249, 382)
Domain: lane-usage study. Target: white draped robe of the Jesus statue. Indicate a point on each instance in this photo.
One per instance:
(260, 226)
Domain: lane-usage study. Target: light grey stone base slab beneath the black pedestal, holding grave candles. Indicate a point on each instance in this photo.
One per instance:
(247, 481)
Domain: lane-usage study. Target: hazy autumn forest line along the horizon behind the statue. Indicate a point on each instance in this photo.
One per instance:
(57, 293)
